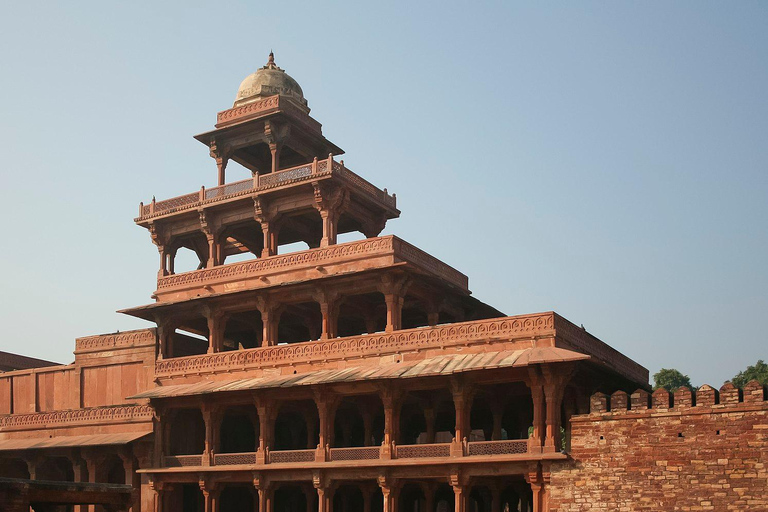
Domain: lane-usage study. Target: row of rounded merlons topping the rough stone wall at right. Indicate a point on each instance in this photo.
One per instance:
(661, 400)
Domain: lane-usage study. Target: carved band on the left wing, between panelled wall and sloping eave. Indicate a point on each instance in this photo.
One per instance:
(37, 420)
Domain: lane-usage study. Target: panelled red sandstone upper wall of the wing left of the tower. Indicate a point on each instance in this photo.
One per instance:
(107, 368)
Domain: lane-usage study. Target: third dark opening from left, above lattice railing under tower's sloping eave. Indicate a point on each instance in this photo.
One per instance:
(296, 426)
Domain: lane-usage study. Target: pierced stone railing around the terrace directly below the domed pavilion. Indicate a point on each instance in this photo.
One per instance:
(301, 173)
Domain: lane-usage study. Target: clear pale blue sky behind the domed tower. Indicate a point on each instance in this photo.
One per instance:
(604, 160)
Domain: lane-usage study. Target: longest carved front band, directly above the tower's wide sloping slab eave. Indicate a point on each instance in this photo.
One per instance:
(466, 333)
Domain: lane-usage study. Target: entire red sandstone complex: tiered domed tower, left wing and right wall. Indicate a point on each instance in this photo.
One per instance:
(357, 376)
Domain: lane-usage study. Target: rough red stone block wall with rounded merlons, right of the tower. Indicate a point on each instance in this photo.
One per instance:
(706, 450)
